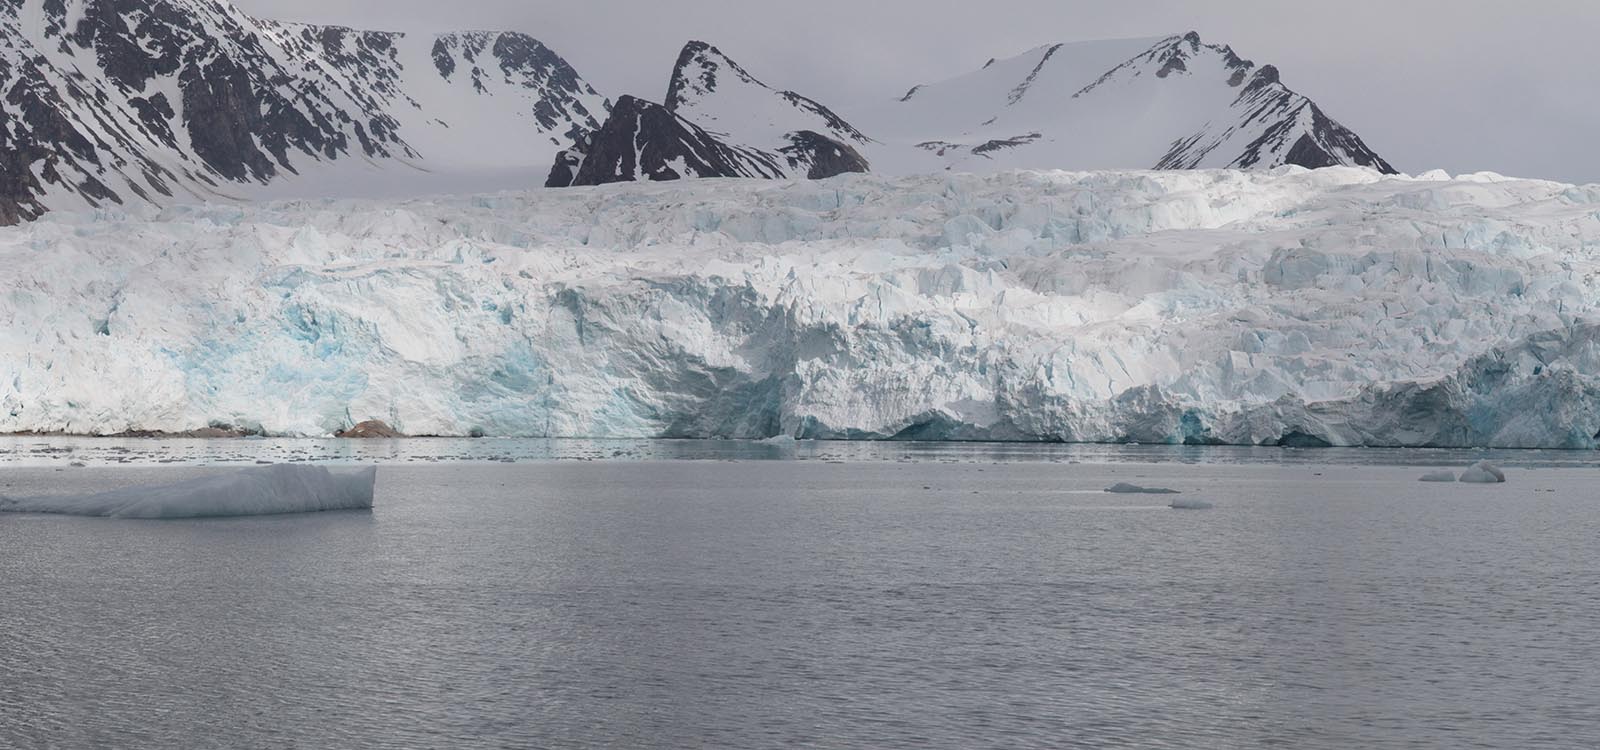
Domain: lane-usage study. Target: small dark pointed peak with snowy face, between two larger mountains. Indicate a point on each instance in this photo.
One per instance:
(716, 122)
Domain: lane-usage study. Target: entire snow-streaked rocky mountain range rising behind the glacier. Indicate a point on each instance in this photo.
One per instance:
(135, 102)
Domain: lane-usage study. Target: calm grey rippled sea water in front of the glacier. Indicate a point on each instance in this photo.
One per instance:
(818, 596)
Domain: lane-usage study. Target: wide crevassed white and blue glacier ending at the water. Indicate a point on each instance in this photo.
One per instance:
(1330, 308)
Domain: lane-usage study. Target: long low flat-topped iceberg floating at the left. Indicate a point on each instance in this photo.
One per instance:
(250, 492)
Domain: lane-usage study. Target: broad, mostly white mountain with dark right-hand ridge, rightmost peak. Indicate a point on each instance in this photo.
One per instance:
(1170, 103)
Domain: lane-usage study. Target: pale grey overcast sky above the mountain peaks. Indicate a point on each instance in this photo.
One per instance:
(1465, 86)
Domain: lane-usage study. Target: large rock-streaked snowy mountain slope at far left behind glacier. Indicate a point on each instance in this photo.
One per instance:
(121, 102)
